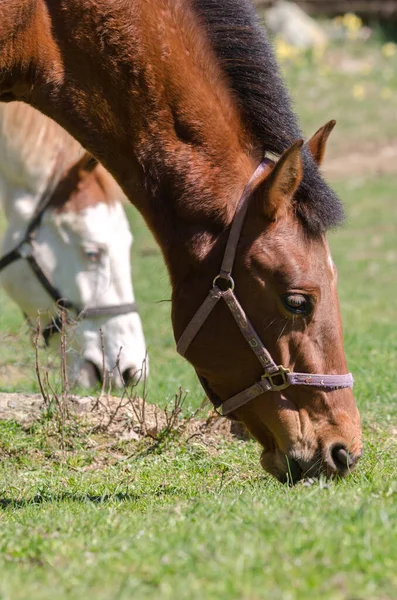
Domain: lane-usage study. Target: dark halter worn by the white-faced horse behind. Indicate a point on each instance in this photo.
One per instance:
(26, 250)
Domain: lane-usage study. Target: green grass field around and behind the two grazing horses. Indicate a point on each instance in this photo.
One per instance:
(187, 520)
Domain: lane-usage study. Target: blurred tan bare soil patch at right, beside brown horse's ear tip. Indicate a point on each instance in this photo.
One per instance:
(371, 159)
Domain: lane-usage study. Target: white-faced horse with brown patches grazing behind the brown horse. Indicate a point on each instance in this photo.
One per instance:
(77, 251)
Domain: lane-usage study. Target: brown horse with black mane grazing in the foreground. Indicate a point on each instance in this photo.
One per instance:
(180, 100)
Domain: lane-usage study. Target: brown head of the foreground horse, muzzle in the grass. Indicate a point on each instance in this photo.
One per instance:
(286, 282)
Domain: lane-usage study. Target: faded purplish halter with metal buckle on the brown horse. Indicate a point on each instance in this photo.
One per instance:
(275, 377)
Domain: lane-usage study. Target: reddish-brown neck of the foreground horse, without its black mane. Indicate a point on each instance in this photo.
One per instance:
(171, 135)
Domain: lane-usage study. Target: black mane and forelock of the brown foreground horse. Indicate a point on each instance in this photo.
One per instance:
(248, 60)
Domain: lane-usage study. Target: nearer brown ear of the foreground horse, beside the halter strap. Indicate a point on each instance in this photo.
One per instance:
(283, 181)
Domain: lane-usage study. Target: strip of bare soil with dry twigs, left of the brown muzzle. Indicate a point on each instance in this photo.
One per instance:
(124, 419)
